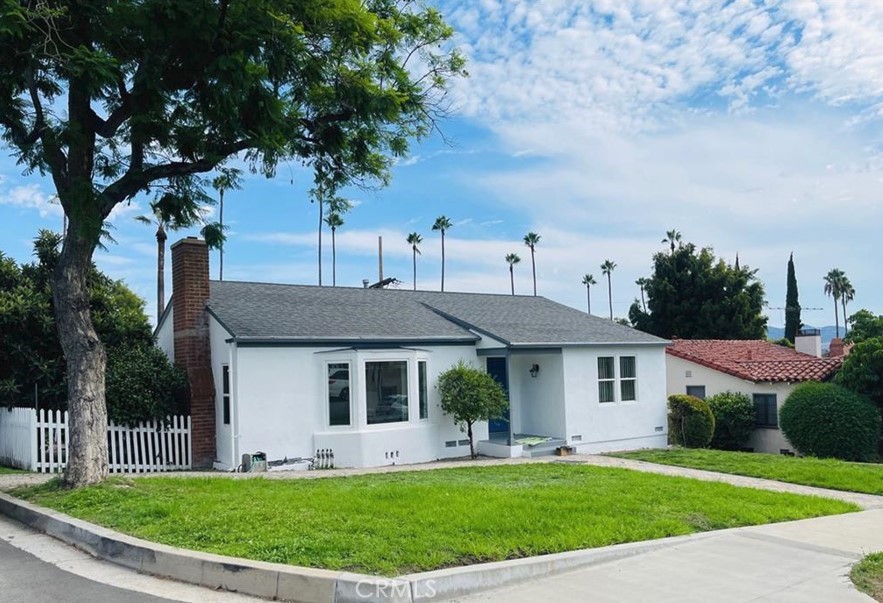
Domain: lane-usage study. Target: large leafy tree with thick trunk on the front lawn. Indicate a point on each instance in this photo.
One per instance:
(121, 97)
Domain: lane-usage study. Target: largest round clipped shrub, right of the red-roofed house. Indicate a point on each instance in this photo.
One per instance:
(829, 421)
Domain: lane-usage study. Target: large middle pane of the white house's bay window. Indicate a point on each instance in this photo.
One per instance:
(386, 391)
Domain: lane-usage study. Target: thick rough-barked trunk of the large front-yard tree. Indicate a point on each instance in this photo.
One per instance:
(86, 361)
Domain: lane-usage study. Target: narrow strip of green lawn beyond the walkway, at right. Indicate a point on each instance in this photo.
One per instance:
(824, 473)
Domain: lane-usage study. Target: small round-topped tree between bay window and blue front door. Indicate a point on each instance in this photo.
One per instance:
(470, 395)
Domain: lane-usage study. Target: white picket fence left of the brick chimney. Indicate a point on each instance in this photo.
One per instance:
(38, 441)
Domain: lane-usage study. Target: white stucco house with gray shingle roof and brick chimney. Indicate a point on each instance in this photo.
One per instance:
(290, 369)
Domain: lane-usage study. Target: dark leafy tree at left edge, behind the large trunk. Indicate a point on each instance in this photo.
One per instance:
(30, 352)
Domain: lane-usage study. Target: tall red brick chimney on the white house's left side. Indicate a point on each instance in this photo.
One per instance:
(190, 292)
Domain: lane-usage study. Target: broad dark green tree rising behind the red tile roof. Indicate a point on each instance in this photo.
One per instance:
(693, 295)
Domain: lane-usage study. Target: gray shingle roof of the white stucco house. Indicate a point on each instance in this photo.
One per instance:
(260, 311)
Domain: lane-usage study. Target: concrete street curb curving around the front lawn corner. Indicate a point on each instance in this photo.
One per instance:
(309, 585)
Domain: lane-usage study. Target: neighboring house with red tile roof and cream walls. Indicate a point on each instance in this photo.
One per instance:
(765, 371)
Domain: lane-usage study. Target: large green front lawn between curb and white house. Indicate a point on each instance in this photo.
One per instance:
(402, 522)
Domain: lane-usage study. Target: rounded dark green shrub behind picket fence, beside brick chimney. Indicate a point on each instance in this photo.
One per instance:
(142, 385)
